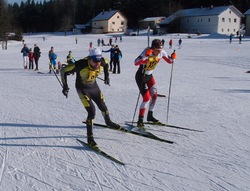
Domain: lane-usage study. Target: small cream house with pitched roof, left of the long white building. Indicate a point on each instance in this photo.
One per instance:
(109, 22)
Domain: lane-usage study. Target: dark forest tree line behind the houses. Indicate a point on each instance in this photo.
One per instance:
(61, 15)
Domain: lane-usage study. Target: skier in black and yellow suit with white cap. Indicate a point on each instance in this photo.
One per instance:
(87, 70)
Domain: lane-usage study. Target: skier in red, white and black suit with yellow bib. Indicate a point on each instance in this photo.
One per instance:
(147, 62)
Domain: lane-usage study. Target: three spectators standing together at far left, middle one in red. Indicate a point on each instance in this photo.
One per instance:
(29, 56)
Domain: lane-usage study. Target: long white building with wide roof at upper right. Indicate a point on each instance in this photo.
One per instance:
(221, 20)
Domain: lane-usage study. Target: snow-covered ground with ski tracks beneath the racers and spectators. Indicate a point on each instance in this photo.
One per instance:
(210, 92)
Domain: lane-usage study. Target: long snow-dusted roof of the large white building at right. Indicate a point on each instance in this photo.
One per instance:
(200, 12)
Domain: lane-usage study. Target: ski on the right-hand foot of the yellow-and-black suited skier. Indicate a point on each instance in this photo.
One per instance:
(132, 130)
